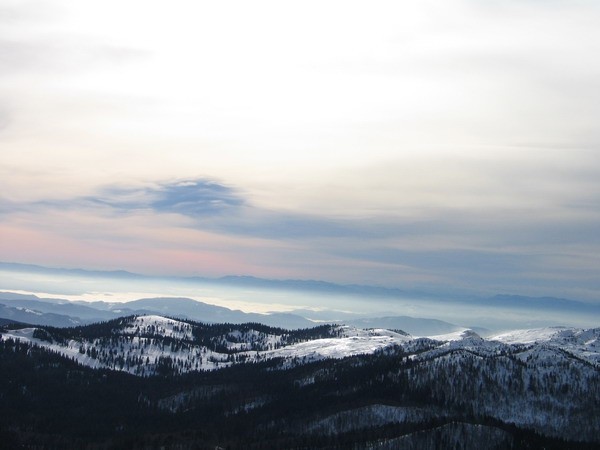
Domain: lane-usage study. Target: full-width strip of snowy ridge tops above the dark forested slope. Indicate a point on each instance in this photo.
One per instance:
(146, 345)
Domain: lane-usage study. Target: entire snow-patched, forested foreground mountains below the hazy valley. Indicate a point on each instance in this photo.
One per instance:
(151, 381)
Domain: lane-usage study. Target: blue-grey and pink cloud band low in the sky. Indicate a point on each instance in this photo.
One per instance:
(199, 227)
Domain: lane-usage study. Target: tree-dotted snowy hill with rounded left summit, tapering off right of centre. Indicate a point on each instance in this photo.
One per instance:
(145, 345)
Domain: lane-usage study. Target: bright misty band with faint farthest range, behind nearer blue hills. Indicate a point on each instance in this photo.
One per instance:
(467, 312)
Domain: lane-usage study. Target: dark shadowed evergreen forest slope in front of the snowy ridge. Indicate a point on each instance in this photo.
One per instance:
(50, 402)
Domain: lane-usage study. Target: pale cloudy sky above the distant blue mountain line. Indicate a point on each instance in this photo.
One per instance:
(447, 146)
